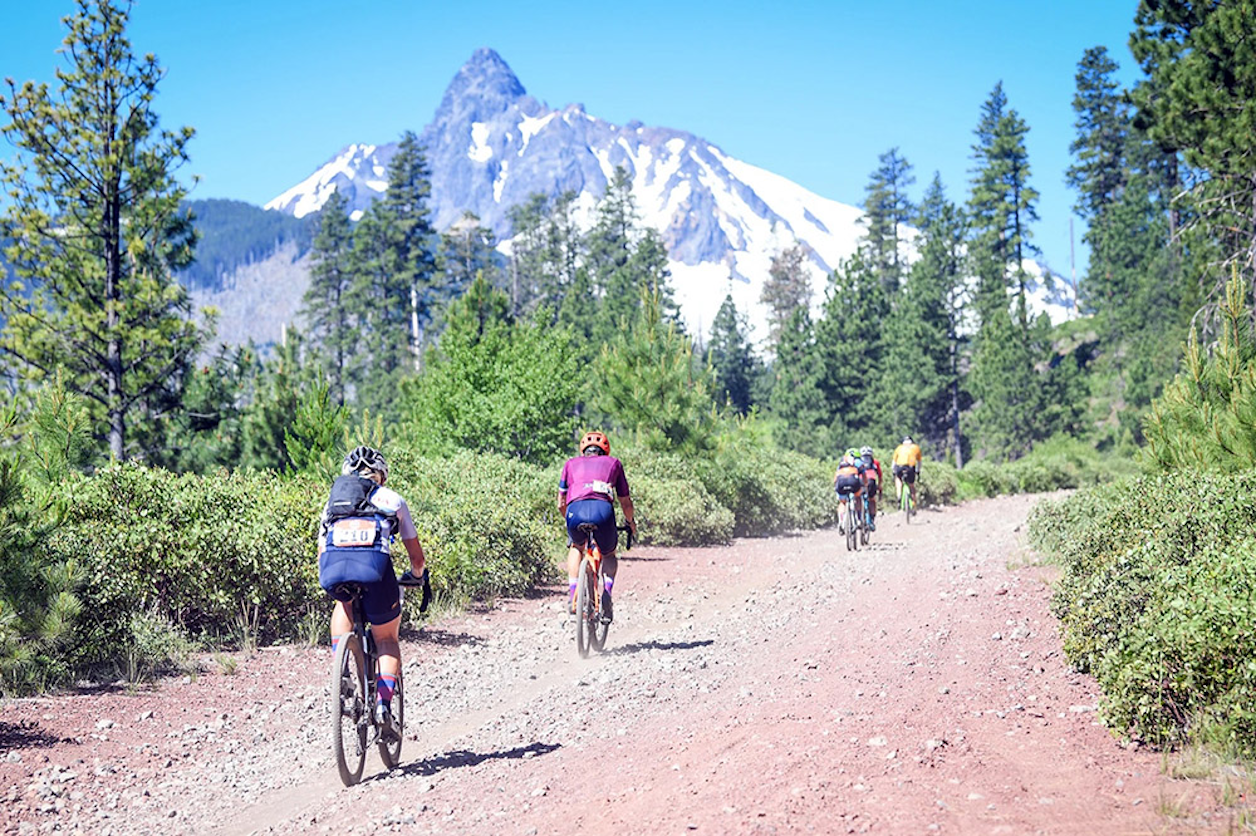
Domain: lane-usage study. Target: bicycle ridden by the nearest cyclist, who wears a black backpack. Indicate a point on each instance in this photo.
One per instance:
(355, 685)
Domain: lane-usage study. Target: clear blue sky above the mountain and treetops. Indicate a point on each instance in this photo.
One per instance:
(812, 91)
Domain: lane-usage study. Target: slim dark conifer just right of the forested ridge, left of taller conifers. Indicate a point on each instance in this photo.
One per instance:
(326, 306)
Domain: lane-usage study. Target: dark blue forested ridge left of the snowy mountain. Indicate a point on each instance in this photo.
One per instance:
(234, 234)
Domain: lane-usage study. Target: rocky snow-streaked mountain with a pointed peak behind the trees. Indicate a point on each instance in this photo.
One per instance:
(492, 146)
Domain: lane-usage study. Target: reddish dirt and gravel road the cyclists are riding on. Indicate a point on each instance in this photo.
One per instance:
(779, 686)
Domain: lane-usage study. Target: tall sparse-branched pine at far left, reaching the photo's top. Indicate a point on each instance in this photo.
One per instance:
(96, 232)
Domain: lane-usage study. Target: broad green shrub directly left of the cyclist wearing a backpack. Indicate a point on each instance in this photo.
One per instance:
(189, 548)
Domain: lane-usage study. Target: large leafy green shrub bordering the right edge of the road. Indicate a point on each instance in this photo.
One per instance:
(1159, 602)
